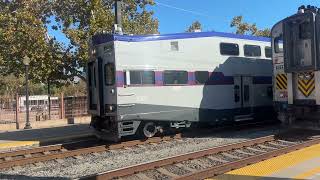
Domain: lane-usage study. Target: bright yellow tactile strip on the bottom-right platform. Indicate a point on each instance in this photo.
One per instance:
(274, 165)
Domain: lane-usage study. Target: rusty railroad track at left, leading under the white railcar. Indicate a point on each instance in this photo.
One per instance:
(61, 151)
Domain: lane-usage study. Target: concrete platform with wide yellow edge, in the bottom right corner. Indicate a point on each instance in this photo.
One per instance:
(300, 164)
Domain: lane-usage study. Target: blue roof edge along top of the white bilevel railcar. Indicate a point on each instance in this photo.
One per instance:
(103, 38)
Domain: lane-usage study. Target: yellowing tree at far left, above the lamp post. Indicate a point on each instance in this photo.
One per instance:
(23, 32)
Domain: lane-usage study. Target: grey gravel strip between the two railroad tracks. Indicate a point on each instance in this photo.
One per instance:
(110, 160)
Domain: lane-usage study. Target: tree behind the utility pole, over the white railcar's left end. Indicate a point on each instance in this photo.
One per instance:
(81, 19)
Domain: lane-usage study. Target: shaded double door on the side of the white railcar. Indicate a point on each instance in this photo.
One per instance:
(243, 98)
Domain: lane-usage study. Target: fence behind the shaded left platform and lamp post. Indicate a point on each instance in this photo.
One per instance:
(13, 110)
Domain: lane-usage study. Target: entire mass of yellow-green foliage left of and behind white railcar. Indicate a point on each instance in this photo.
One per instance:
(24, 32)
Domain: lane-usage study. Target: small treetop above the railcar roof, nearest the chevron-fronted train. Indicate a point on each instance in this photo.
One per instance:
(246, 28)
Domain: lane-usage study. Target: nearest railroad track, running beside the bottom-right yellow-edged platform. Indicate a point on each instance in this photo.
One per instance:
(214, 161)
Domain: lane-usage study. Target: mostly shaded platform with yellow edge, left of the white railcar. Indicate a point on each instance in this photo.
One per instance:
(43, 136)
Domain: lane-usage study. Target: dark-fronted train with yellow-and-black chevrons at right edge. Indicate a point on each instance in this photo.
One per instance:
(296, 62)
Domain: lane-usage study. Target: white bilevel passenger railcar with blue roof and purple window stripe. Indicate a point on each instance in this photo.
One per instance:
(146, 84)
